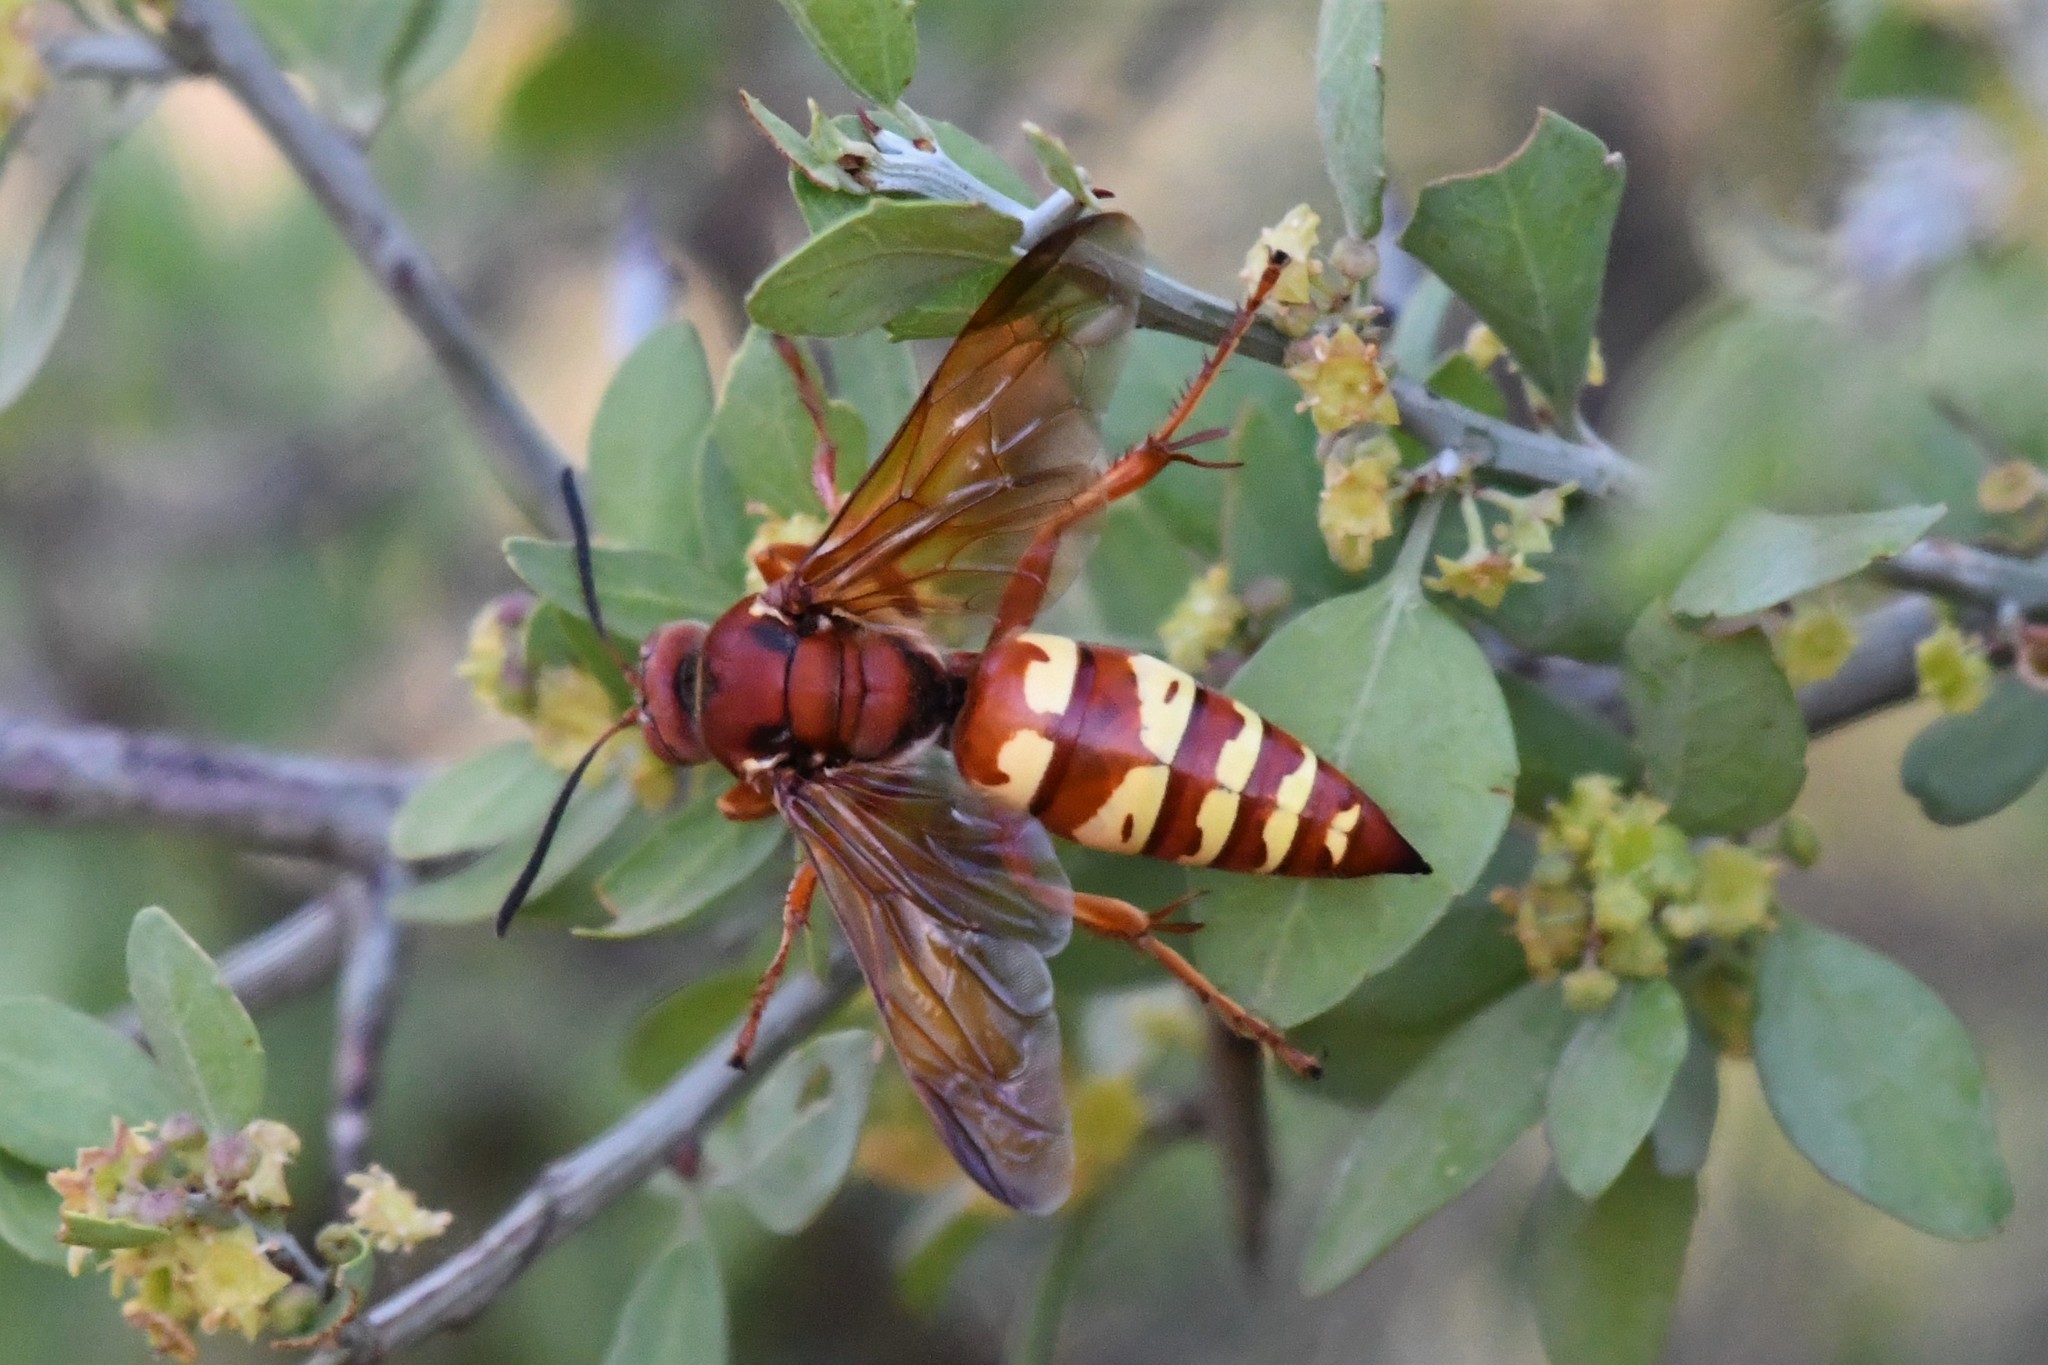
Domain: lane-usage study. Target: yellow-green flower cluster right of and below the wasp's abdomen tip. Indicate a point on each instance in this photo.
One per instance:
(1617, 889)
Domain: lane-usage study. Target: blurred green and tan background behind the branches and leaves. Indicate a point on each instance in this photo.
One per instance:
(241, 504)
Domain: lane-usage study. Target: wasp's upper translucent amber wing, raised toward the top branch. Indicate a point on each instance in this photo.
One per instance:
(1002, 437)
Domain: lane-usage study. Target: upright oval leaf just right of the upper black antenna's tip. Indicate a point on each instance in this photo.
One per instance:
(648, 447)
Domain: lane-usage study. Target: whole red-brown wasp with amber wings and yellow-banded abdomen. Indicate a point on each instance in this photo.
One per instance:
(923, 783)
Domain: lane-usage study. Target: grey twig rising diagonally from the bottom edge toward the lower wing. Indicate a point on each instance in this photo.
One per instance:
(581, 1186)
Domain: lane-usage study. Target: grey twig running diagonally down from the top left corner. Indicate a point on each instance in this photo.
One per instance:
(212, 38)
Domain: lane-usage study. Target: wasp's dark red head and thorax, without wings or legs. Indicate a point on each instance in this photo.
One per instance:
(812, 693)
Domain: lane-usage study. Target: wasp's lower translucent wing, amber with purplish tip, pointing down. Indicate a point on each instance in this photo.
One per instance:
(951, 910)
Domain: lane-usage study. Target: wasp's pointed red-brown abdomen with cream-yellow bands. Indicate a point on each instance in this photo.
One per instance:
(1132, 756)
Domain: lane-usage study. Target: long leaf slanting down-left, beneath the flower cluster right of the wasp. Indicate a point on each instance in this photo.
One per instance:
(1439, 1131)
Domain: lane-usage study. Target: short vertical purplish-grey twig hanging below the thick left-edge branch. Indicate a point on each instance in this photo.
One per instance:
(364, 1002)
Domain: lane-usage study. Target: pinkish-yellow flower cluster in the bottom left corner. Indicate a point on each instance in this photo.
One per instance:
(189, 1229)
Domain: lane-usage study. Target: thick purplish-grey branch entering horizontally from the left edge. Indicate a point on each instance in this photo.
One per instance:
(269, 803)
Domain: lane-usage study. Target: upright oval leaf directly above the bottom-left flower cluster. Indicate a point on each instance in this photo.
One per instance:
(202, 1037)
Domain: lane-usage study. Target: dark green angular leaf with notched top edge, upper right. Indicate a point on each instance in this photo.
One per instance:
(1527, 247)
